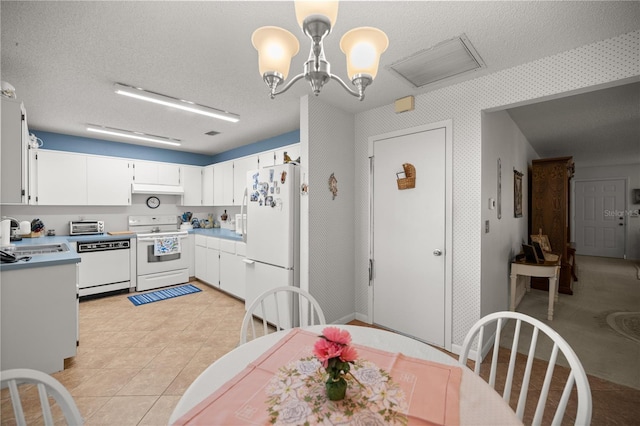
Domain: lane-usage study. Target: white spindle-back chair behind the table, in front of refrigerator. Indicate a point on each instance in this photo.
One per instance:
(281, 303)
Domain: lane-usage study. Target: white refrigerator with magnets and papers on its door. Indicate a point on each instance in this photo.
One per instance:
(273, 235)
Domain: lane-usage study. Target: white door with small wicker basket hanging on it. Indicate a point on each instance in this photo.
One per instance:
(409, 236)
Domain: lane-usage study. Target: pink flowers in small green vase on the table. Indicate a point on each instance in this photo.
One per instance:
(333, 350)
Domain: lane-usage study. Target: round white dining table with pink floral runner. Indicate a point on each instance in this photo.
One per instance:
(448, 393)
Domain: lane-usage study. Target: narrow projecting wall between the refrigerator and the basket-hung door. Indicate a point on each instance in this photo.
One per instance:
(326, 137)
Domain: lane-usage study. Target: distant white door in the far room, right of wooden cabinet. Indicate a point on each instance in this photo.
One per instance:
(600, 217)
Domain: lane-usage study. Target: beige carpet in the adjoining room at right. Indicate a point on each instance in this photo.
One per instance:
(599, 320)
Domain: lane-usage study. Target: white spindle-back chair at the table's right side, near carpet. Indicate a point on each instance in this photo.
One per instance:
(494, 323)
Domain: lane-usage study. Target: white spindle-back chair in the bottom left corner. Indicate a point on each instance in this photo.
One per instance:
(46, 386)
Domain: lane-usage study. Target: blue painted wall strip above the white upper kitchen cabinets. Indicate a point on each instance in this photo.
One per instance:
(69, 143)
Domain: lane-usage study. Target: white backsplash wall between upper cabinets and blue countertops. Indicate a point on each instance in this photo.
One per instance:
(115, 217)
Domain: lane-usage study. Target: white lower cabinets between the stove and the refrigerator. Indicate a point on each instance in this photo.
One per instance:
(218, 262)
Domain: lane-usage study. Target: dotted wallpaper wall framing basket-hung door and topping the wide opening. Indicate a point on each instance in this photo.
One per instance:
(591, 65)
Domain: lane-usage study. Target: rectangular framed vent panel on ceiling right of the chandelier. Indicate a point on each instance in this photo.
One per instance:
(444, 60)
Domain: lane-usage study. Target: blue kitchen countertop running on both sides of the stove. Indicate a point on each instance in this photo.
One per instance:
(71, 256)
